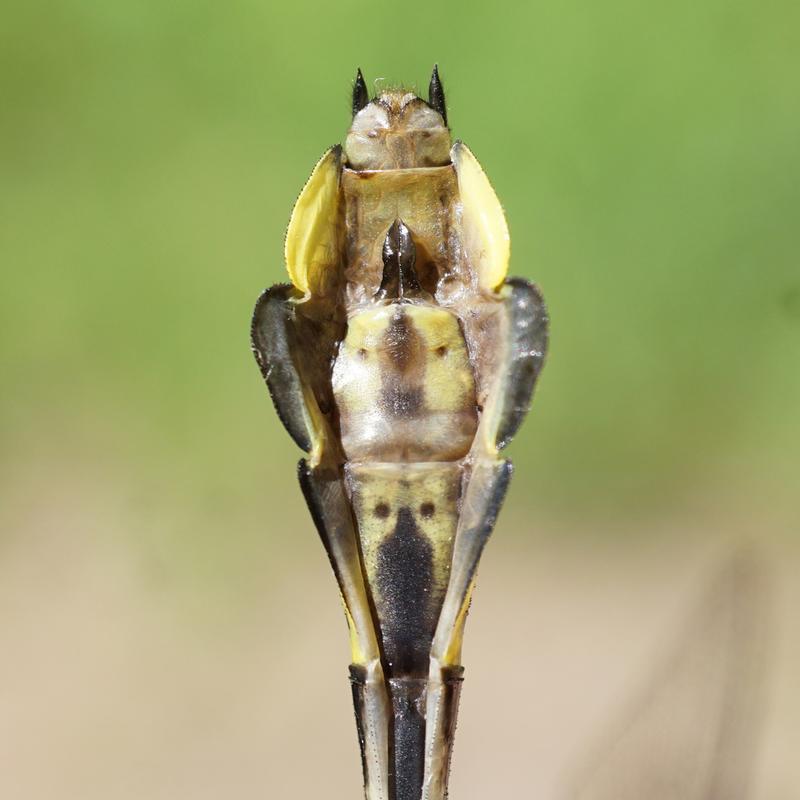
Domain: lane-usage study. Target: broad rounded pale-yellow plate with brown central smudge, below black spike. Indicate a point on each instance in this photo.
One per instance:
(404, 387)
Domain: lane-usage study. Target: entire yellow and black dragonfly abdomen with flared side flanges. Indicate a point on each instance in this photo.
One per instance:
(402, 360)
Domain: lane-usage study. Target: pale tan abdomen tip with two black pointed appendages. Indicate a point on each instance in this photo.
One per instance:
(397, 129)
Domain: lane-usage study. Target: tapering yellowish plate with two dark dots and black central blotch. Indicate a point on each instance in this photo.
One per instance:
(406, 516)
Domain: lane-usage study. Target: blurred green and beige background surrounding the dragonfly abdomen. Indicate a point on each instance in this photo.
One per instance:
(168, 624)
